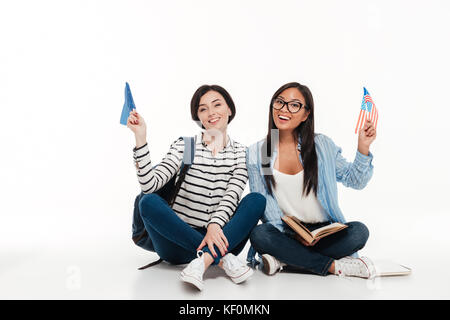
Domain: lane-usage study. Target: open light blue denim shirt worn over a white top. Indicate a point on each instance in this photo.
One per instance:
(332, 168)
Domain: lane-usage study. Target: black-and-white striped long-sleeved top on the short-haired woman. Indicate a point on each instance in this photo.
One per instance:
(212, 187)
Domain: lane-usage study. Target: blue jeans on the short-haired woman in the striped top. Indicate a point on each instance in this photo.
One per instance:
(176, 242)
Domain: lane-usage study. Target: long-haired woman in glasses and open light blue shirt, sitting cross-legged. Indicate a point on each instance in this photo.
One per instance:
(298, 175)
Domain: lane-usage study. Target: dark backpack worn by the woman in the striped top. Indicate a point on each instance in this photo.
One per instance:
(168, 192)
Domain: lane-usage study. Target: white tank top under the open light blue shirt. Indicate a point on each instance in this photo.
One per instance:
(289, 194)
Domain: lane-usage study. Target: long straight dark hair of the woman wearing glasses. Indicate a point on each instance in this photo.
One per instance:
(308, 148)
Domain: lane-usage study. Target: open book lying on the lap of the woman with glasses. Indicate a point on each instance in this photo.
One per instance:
(312, 237)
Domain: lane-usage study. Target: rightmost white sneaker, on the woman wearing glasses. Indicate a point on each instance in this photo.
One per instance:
(355, 267)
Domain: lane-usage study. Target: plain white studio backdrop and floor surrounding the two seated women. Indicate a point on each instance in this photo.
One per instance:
(66, 170)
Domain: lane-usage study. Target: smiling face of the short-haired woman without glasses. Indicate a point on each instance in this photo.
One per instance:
(213, 111)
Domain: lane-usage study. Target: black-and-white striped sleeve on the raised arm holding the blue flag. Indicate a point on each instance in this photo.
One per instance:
(150, 178)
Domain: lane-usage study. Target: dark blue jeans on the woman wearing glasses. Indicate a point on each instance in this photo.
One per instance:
(265, 238)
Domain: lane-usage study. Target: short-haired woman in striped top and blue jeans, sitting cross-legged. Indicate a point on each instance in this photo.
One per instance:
(207, 224)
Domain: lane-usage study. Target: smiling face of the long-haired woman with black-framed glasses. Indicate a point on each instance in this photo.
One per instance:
(285, 120)
